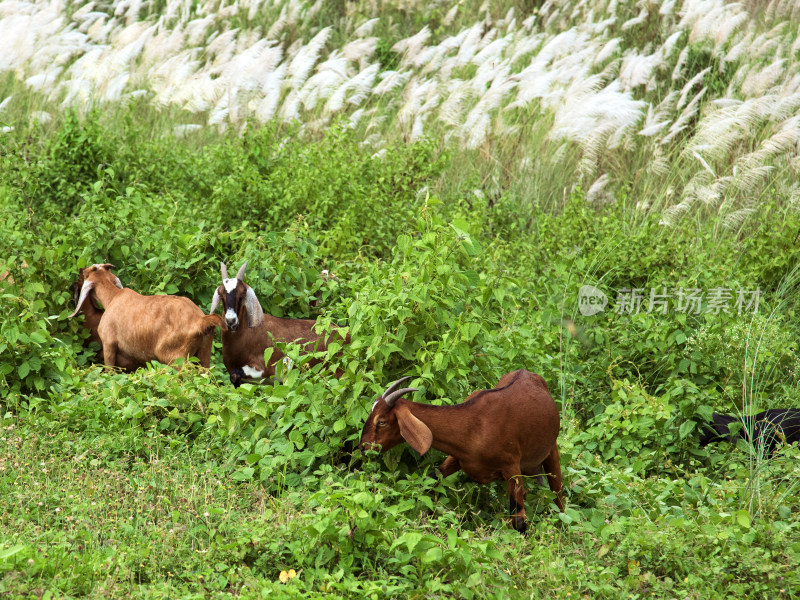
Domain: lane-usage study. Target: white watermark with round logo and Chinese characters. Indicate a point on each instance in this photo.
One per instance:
(693, 301)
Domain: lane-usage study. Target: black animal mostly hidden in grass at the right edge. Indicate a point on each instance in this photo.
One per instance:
(768, 428)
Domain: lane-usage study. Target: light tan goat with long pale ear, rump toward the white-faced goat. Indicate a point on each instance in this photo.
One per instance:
(135, 329)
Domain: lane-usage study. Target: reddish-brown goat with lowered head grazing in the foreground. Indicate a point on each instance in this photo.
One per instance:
(499, 434)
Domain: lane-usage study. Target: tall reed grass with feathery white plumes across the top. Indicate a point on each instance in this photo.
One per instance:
(690, 106)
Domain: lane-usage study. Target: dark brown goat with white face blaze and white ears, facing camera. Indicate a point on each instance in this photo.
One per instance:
(243, 347)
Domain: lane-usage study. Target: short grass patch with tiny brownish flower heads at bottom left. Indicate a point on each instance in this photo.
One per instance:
(128, 514)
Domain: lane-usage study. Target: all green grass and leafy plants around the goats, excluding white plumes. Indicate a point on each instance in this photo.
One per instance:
(452, 265)
